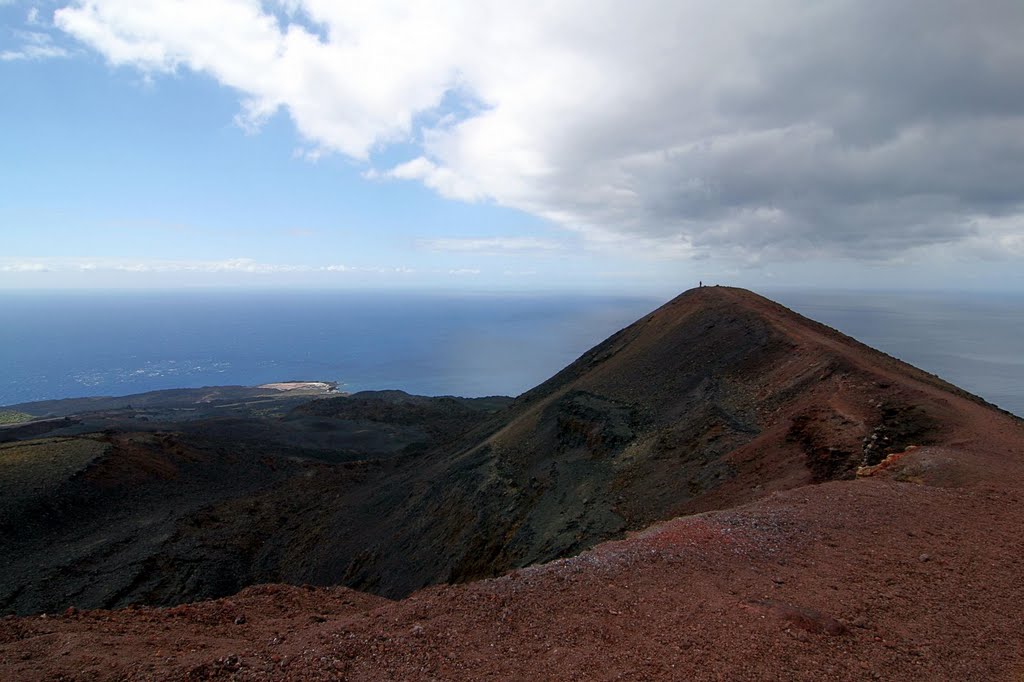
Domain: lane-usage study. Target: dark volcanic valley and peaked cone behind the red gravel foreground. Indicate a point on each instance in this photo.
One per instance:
(717, 399)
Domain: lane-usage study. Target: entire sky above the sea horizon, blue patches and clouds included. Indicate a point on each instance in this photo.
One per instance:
(558, 146)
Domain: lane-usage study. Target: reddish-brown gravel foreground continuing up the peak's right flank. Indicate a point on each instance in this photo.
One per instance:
(914, 571)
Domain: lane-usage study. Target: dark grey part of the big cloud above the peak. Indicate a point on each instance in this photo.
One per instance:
(865, 132)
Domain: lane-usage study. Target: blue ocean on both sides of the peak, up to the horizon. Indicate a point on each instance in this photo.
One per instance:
(92, 344)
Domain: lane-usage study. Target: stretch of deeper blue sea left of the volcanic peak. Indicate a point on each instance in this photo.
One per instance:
(72, 346)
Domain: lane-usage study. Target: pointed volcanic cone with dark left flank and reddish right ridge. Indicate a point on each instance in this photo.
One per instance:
(717, 399)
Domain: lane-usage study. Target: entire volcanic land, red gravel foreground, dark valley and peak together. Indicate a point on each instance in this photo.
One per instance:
(718, 400)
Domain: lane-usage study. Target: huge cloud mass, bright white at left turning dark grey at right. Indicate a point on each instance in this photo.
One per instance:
(752, 130)
